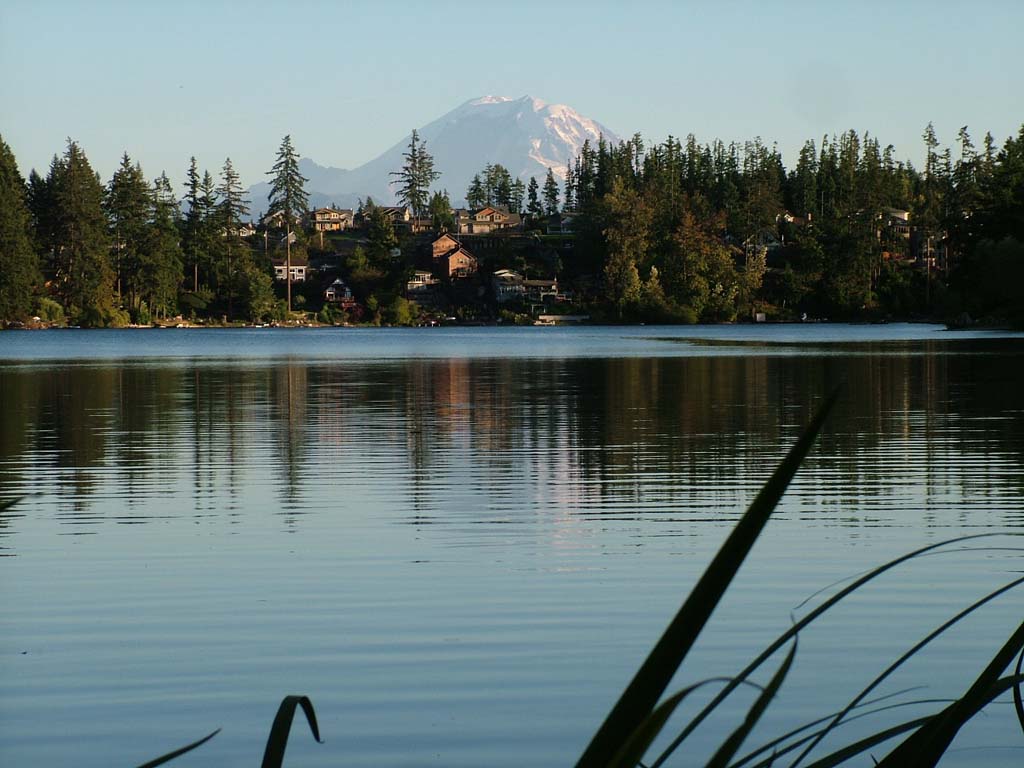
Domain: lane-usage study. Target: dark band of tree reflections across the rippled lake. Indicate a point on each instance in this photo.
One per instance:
(582, 435)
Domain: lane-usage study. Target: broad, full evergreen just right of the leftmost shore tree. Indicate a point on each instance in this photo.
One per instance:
(82, 273)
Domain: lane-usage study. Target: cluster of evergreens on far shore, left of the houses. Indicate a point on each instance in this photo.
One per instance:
(75, 250)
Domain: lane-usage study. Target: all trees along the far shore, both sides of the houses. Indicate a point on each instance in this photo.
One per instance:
(673, 232)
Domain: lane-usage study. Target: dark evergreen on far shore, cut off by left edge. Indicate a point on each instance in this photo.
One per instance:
(19, 264)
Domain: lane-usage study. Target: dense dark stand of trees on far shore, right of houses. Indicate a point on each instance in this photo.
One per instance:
(678, 230)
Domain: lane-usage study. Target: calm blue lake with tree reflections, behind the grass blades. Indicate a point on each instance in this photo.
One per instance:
(461, 543)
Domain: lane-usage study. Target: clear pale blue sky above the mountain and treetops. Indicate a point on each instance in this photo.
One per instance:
(167, 80)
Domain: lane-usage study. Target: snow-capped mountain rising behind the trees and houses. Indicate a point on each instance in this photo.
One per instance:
(527, 136)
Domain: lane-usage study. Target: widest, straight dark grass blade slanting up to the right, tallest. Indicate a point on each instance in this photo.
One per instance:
(639, 699)
